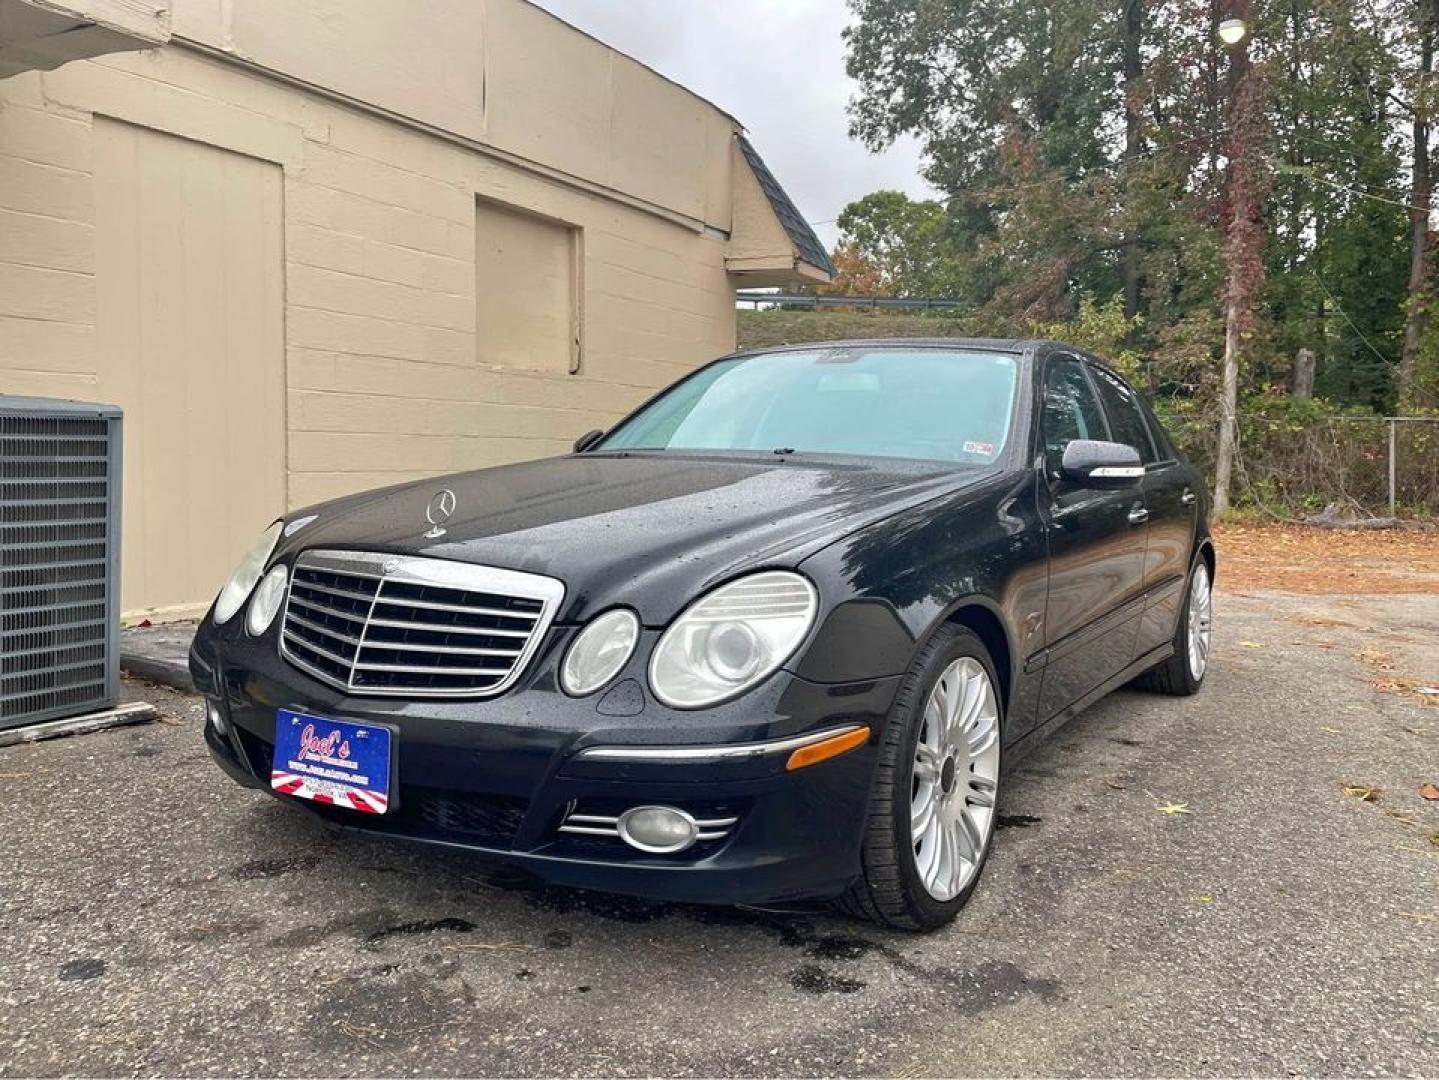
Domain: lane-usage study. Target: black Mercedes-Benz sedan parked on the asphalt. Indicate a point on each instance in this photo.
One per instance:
(772, 638)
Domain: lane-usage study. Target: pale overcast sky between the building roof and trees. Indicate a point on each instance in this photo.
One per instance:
(781, 70)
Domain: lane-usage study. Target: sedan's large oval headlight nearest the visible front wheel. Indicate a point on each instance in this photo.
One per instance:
(732, 639)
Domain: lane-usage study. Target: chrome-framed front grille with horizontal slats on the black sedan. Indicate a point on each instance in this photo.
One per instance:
(407, 628)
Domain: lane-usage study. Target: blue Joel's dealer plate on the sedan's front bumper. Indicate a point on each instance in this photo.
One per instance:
(335, 763)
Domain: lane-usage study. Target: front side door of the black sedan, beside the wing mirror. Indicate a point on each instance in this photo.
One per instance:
(1097, 543)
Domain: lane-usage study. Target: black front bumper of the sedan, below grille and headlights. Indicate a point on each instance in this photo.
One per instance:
(499, 777)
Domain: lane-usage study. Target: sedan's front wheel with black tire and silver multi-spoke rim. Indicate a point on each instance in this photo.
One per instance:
(958, 833)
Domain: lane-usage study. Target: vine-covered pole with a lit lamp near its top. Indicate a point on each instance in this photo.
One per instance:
(1241, 241)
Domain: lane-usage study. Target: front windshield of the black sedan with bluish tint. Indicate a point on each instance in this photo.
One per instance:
(929, 403)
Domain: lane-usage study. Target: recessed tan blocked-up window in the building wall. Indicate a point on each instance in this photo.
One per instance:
(527, 290)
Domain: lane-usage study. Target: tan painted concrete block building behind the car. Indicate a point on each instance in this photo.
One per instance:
(316, 247)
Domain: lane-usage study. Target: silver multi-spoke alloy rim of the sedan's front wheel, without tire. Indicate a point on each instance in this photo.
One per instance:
(956, 779)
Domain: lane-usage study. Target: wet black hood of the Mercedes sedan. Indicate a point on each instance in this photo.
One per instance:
(650, 531)
